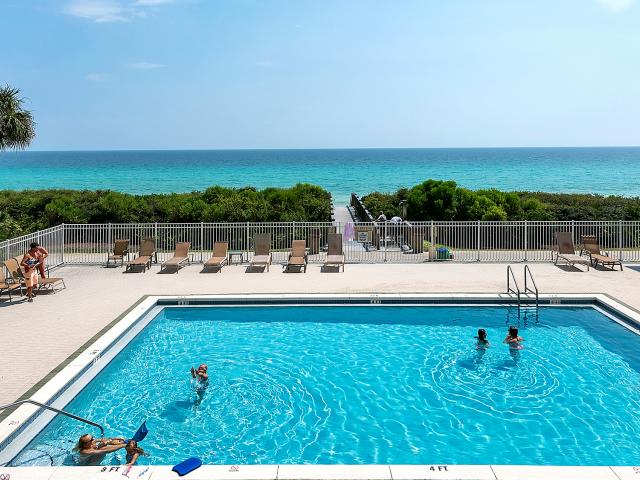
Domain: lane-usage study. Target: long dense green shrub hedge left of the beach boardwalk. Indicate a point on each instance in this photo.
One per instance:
(28, 211)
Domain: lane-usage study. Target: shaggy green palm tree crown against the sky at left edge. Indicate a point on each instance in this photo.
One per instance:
(17, 127)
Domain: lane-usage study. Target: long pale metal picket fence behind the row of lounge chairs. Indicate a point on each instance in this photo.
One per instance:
(364, 242)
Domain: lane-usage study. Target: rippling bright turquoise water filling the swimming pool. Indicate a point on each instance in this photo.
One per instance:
(367, 385)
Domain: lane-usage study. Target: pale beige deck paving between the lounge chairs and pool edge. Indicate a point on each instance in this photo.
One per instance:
(37, 337)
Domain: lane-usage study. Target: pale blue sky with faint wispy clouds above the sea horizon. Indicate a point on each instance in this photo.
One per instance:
(200, 74)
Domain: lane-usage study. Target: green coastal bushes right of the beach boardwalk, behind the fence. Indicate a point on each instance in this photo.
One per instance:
(445, 200)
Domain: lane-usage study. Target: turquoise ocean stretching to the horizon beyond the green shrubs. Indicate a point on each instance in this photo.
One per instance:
(607, 171)
